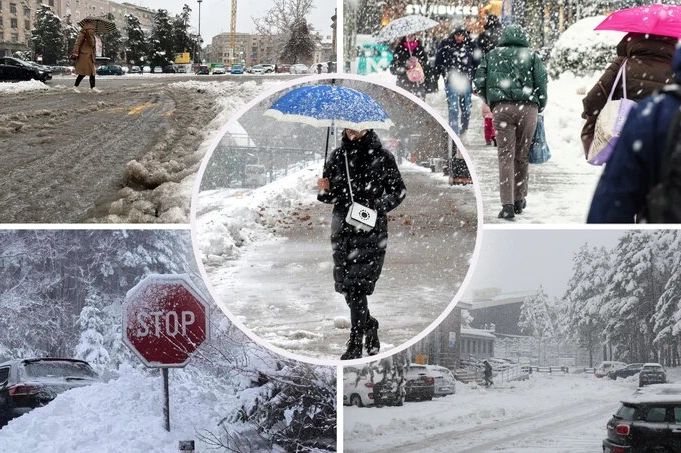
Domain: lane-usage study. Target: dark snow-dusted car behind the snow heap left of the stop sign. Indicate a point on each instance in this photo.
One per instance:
(29, 383)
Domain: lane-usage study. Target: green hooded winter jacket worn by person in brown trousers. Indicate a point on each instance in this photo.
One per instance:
(512, 72)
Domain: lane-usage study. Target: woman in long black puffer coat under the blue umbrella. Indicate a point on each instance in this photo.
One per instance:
(358, 255)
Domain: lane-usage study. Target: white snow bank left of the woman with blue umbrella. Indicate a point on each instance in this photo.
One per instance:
(232, 218)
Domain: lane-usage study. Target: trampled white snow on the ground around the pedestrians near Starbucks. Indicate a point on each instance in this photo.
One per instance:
(560, 190)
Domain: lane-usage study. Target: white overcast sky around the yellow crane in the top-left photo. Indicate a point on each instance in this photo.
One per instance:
(215, 14)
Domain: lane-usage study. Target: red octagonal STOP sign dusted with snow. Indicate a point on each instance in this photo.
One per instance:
(165, 319)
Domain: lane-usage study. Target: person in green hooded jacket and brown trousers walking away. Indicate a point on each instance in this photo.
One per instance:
(512, 80)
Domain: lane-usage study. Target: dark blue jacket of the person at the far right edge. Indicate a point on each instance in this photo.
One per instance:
(633, 168)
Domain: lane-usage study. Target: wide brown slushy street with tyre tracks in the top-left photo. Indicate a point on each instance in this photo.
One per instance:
(127, 154)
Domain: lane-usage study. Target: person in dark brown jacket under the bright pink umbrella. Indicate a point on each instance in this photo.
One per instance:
(648, 59)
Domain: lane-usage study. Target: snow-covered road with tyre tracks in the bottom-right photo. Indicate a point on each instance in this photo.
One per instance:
(477, 418)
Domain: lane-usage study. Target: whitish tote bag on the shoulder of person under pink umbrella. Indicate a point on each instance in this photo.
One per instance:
(610, 121)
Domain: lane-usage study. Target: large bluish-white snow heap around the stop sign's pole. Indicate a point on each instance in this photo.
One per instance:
(122, 415)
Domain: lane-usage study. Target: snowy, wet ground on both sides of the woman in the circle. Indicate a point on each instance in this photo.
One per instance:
(275, 274)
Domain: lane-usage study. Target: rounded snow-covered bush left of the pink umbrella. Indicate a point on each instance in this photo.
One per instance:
(581, 50)
